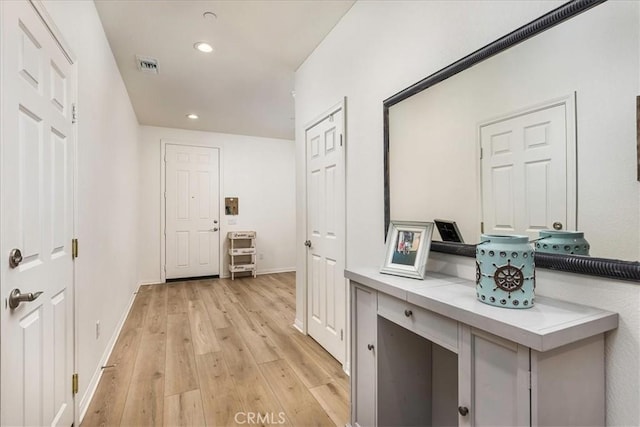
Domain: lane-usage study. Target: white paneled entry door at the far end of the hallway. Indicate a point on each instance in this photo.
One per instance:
(192, 209)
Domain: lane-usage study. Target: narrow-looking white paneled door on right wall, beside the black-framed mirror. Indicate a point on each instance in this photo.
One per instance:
(326, 286)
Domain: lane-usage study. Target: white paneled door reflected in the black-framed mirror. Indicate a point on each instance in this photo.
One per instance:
(528, 177)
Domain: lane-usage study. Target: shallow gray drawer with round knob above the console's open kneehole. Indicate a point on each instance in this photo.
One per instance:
(432, 326)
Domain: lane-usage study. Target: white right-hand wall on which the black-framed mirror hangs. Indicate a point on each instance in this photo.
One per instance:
(376, 50)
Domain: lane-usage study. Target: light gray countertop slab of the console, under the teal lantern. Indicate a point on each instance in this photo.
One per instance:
(547, 325)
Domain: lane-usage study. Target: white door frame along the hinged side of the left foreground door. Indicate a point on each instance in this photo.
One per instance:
(64, 47)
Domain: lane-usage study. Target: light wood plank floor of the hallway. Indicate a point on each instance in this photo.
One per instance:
(218, 353)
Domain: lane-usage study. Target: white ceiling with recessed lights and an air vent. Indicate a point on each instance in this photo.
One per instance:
(245, 86)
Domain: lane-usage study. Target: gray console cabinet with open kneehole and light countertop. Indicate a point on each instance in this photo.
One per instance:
(426, 353)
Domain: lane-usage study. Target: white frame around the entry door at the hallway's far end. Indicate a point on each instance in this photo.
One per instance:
(163, 240)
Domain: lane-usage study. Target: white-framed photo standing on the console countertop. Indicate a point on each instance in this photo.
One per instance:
(408, 244)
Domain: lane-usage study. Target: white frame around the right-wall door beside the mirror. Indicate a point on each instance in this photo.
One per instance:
(341, 105)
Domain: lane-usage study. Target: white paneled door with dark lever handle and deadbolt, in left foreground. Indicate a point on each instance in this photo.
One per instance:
(37, 218)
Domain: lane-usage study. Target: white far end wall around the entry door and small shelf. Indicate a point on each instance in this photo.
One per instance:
(259, 171)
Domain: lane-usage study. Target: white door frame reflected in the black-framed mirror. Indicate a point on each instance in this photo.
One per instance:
(569, 101)
